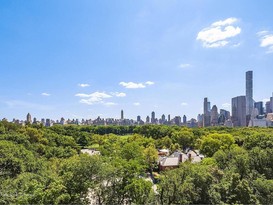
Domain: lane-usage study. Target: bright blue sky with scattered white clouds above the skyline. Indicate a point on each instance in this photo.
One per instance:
(81, 59)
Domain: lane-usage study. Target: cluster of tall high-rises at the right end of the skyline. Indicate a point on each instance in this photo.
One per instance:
(244, 111)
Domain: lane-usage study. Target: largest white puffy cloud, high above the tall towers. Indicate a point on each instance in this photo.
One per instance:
(219, 33)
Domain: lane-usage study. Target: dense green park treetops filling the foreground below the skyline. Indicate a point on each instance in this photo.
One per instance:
(40, 165)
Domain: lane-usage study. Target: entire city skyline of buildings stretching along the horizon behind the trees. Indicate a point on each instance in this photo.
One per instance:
(244, 112)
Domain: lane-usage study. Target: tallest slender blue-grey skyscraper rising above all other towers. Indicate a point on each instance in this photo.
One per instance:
(249, 93)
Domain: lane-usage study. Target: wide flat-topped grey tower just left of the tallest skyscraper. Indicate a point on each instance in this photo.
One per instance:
(238, 106)
